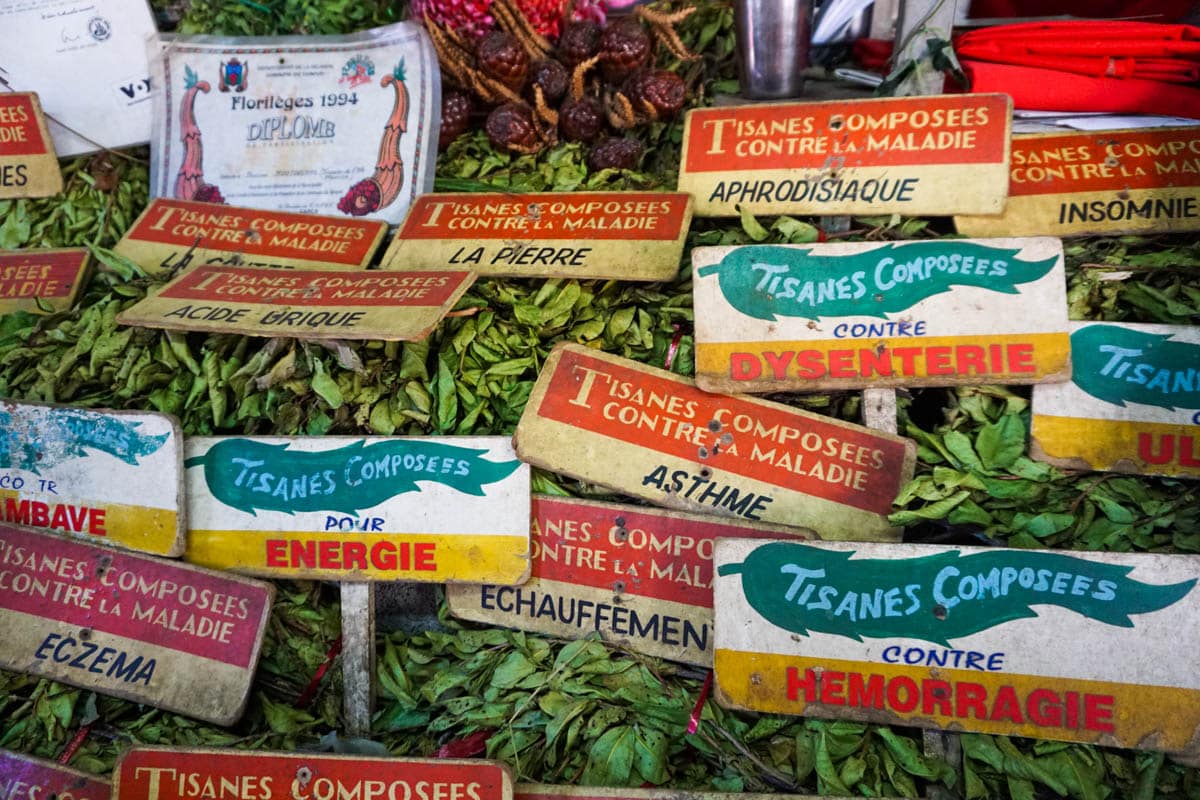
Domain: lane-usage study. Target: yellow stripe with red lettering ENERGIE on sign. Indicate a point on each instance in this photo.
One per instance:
(436, 558)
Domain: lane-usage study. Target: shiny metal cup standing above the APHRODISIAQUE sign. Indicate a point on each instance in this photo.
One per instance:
(773, 46)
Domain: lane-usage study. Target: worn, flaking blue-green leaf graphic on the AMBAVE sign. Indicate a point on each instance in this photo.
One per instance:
(63, 436)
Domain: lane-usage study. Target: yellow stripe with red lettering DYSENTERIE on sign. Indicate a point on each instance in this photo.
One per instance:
(968, 359)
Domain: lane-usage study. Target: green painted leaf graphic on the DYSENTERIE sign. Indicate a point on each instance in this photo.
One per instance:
(769, 282)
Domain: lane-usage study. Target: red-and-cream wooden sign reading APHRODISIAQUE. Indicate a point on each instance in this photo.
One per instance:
(933, 155)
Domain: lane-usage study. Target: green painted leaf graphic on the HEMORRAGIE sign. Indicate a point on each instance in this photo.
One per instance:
(935, 598)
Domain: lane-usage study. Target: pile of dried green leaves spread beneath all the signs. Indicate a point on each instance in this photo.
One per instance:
(578, 713)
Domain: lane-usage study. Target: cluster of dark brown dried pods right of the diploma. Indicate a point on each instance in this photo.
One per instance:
(597, 83)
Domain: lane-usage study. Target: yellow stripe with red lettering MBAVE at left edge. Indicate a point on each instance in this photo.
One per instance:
(137, 528)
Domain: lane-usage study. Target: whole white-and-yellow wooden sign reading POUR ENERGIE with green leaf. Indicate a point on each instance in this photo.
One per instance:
(361, 509)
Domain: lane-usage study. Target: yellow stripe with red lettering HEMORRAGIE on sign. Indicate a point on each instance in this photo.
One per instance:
(1123, 715)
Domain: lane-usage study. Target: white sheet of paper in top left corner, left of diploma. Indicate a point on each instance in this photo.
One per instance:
(87, 62)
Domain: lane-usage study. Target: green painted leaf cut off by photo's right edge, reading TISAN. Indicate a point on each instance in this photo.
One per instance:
(1120, 366)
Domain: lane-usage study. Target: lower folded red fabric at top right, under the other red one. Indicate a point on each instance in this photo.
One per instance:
(1037, 89)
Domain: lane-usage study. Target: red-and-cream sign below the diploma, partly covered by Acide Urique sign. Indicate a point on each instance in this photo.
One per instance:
(176, 234)
